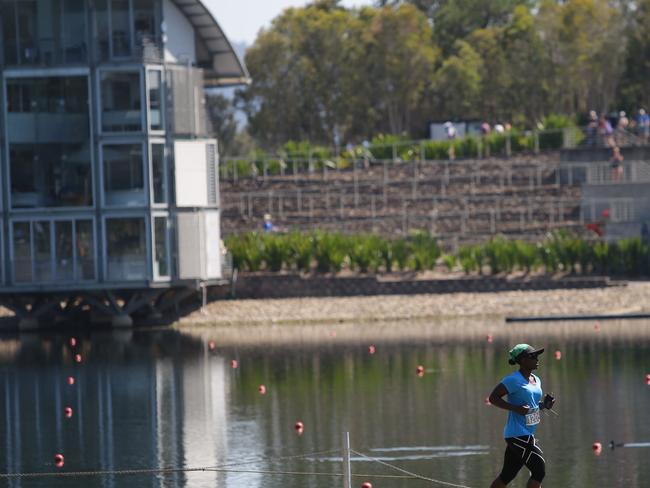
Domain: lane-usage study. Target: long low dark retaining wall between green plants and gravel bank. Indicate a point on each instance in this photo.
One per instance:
(294, 286)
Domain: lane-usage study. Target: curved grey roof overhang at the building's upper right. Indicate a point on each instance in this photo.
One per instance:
(214, 51)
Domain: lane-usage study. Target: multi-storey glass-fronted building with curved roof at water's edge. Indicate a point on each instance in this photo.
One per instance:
(109, 178)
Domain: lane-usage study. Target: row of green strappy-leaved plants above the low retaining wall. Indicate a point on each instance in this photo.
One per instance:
(326, 252)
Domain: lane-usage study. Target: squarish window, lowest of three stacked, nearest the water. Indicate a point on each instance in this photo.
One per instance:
(126, 249)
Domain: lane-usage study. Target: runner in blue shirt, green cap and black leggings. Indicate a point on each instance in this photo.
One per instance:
(524, 390)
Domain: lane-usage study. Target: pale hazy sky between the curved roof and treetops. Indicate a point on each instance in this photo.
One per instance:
(242, 19)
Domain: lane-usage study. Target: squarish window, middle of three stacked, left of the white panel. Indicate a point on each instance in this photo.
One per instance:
(123, 174)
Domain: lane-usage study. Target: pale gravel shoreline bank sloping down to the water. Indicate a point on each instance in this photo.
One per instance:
(631, 298)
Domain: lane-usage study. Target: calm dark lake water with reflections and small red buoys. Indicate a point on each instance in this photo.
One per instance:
(161, 398)
